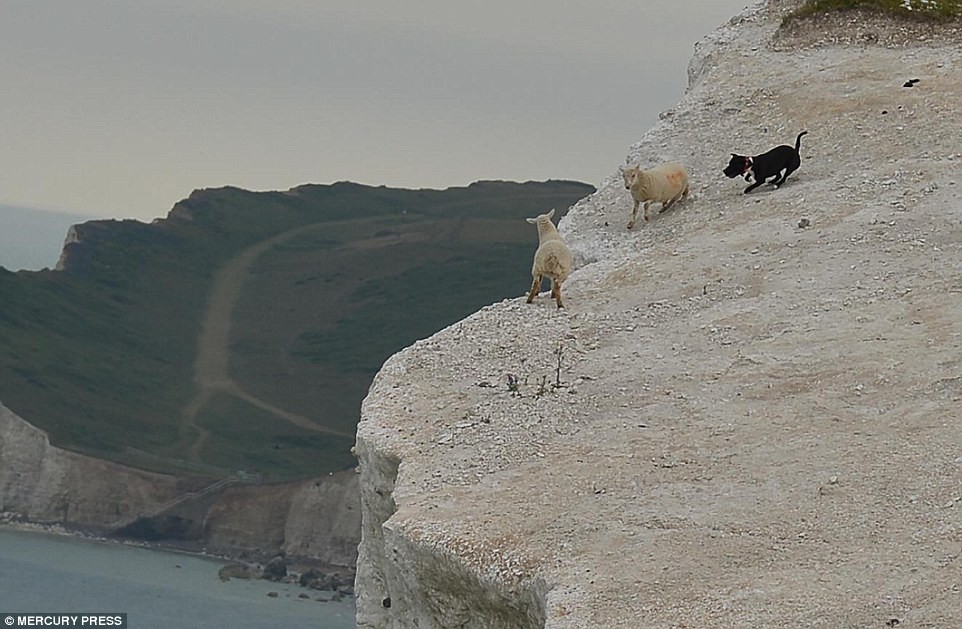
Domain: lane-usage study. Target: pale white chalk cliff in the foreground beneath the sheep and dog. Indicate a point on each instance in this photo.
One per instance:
(747, 414)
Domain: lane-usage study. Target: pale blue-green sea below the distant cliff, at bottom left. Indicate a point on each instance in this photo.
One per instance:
(43, 573)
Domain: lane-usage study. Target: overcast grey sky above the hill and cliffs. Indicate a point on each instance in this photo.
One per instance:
(119, 108)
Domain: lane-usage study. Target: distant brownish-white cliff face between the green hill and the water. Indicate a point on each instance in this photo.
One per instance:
(316, 519)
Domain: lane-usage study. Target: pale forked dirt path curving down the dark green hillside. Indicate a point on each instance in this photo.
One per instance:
(211, 373)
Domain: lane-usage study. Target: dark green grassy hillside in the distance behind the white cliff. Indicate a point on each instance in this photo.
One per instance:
(104, 355)
